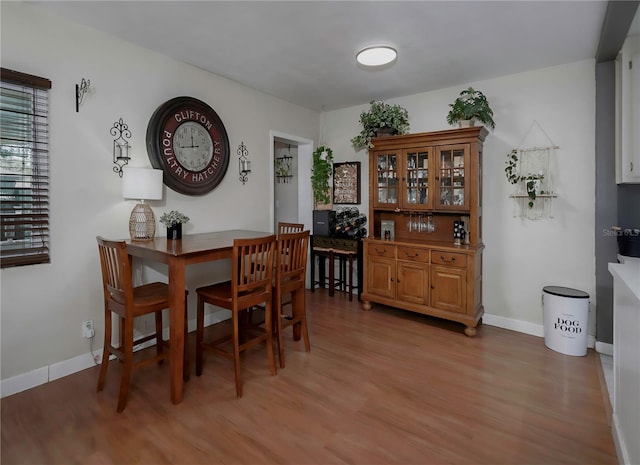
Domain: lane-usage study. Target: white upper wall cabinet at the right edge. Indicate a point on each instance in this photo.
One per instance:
(628, 112)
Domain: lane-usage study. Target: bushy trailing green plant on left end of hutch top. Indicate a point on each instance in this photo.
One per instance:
(381, 117)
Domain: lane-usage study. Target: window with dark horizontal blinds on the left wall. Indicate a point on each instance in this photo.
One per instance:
(24, 169)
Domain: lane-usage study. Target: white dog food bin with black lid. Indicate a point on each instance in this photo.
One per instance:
(566, 314)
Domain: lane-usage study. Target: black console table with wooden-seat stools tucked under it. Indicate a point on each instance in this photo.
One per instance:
(346, 250)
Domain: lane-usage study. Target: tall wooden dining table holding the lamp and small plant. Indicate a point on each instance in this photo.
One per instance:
(177, 254)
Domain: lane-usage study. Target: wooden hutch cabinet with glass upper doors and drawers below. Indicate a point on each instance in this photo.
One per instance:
(419, 185)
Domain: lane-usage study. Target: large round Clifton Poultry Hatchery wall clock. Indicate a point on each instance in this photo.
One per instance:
(187, 140)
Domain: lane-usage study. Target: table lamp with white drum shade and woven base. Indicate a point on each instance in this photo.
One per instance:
(142, 184)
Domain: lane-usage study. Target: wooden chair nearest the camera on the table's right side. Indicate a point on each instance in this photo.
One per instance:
(250, 285)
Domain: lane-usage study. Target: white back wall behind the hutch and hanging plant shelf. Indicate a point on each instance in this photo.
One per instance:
(521, 256)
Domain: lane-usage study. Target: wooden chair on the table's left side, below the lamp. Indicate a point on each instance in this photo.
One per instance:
(129, 302)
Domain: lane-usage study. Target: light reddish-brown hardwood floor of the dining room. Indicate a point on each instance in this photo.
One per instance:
(378, 387)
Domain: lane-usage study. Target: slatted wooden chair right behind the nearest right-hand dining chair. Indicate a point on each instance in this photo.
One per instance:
(290, 278)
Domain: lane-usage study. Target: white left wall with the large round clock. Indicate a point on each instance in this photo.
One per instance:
(42, 306)
